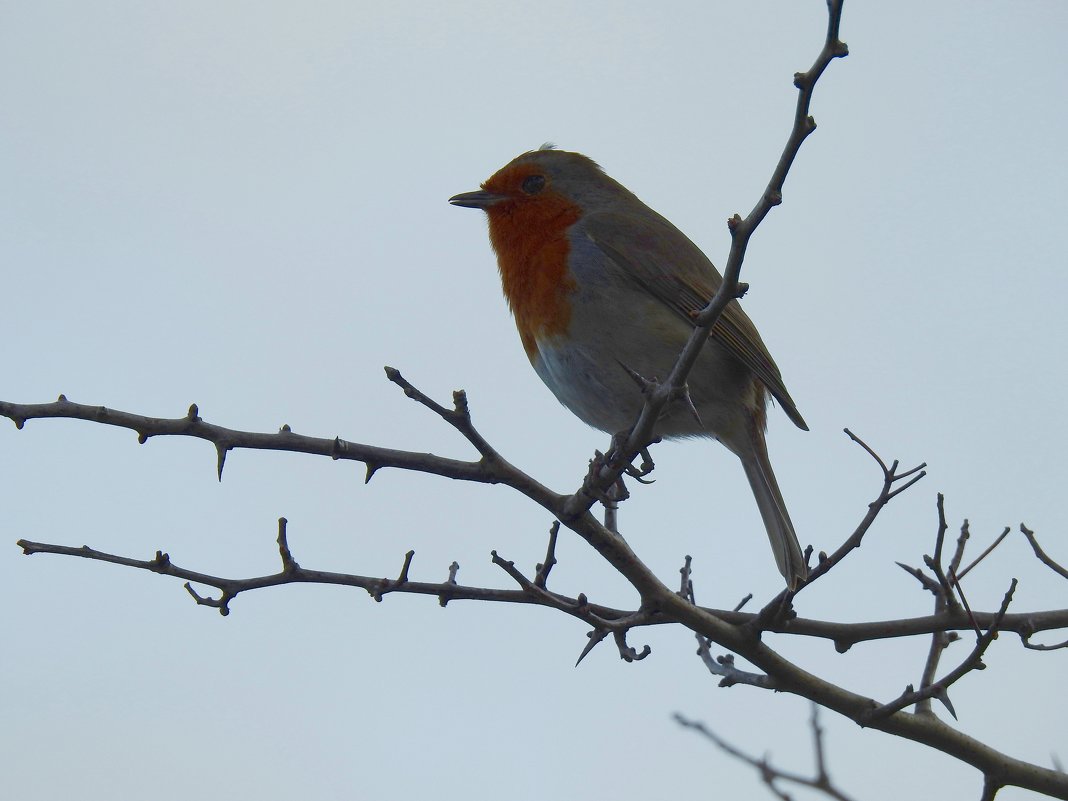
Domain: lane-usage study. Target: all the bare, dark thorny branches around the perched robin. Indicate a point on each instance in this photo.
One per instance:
(739, 634)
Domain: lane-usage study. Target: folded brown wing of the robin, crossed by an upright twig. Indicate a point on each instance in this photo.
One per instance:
(664, 262)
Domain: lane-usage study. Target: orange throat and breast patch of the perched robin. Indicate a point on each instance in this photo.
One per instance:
(530, 239)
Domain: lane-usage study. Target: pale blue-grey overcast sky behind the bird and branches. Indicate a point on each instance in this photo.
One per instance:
(244, 205)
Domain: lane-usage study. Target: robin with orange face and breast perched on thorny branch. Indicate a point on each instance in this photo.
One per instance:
(601, 288)
